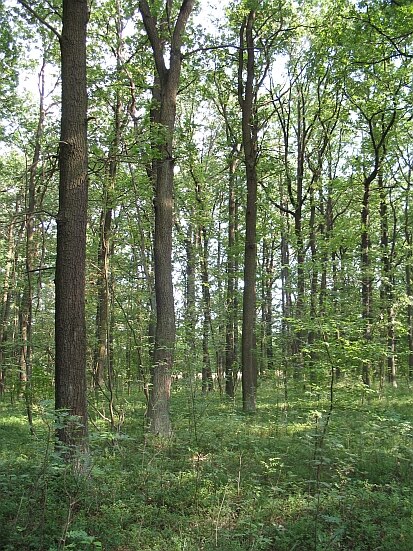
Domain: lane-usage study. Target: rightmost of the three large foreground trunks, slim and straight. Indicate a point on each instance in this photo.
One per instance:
(249, 136)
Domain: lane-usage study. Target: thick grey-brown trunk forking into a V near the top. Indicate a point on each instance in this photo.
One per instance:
(159, 398)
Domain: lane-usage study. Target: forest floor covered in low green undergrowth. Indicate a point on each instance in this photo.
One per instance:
(291, 477)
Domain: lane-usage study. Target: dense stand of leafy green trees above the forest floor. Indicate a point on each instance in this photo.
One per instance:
(247, 195)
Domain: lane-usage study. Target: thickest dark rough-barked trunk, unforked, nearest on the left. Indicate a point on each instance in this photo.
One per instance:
(70, 326)
